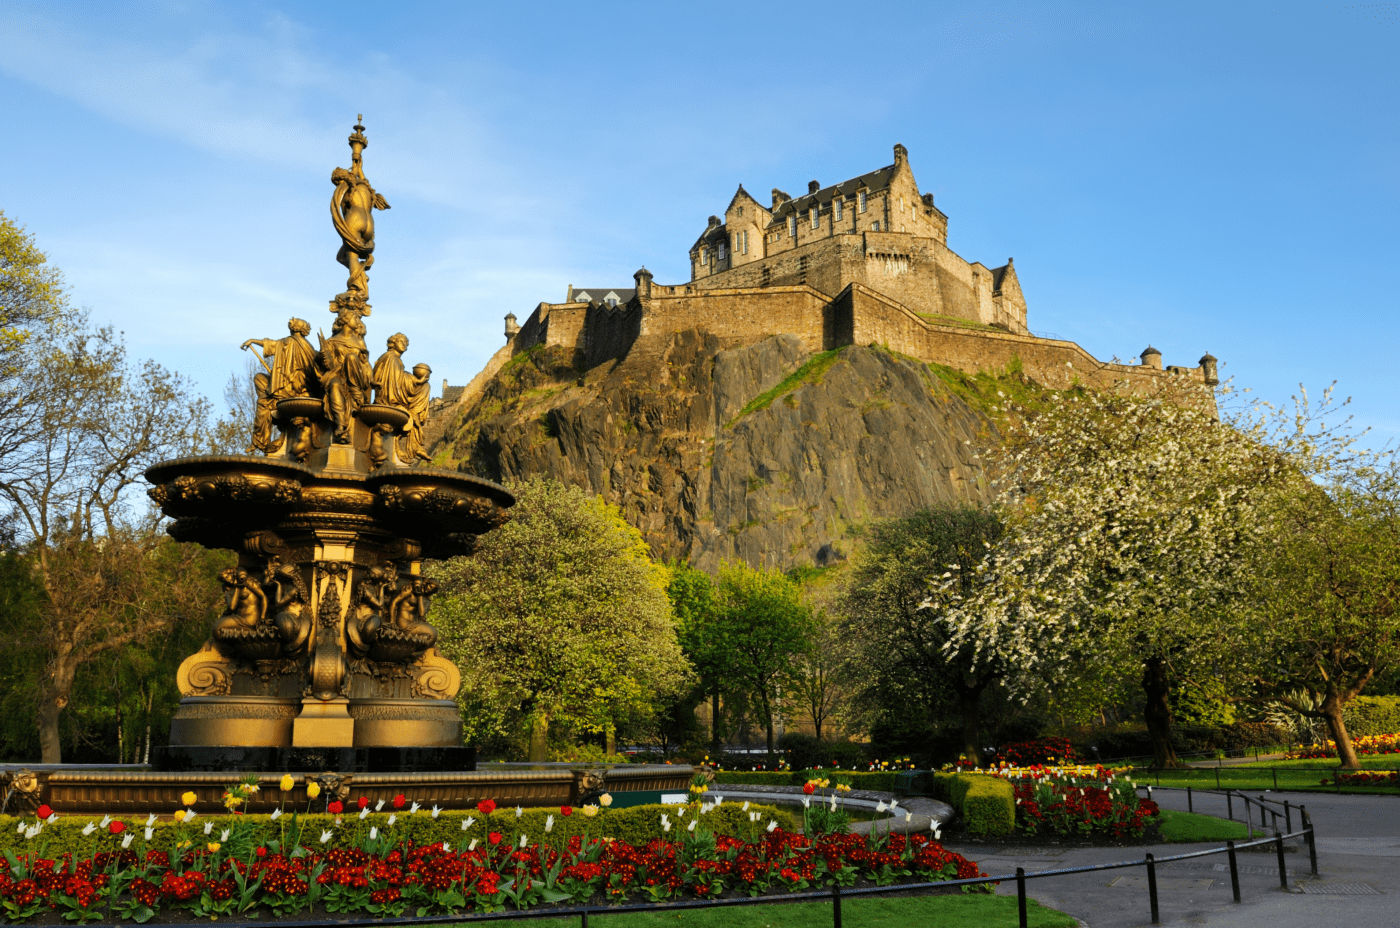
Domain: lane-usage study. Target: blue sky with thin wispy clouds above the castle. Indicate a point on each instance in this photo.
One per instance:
(1198, 177)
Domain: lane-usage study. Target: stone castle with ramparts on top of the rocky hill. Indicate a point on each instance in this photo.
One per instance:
(860, 262)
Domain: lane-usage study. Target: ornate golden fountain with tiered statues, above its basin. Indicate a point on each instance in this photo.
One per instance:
(324, 657)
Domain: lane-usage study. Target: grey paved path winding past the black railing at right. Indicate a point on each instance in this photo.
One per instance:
(1359, 862)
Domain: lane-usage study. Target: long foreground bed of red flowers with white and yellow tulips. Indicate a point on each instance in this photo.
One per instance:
(232, 867)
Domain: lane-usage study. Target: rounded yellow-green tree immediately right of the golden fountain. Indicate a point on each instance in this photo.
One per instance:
(558, 619)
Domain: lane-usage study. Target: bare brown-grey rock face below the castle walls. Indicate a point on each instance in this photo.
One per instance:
(759, 453)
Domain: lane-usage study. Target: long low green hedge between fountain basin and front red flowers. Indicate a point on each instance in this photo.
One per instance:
(635, 825)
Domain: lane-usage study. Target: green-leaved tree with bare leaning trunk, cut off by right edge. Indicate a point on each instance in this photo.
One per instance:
(1331, 590)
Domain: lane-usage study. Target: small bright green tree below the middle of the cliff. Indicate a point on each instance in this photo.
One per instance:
(759, 631)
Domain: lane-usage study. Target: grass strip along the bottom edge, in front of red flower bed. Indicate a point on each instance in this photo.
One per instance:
(946, 912)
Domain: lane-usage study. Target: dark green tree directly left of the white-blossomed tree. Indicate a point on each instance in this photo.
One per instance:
(899, 625)
